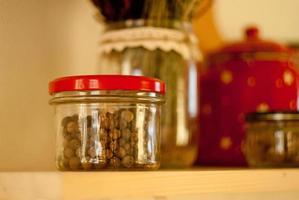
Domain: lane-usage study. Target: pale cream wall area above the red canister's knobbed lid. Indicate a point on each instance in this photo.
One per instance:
(277, 19)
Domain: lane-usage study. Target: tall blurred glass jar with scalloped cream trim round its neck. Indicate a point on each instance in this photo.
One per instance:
(167, 51)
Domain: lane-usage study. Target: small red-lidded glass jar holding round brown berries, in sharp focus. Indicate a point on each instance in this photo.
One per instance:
(107, 122)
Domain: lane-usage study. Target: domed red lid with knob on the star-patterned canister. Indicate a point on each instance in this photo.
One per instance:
(253, 43)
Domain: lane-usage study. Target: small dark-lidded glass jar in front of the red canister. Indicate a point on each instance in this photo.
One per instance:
(272, 139)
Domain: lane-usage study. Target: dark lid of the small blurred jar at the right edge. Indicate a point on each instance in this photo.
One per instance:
(273, 116)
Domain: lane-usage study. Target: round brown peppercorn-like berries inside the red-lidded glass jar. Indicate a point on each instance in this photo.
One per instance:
(115, 138)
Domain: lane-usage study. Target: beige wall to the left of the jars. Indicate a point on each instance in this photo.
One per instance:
(39, 40)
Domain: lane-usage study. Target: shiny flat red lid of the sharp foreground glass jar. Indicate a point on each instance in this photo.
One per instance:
(106, 82)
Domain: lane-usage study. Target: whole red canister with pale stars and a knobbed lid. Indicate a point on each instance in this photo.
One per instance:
(247, 76)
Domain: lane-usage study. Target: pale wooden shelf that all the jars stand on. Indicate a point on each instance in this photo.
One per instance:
(161, 185)
